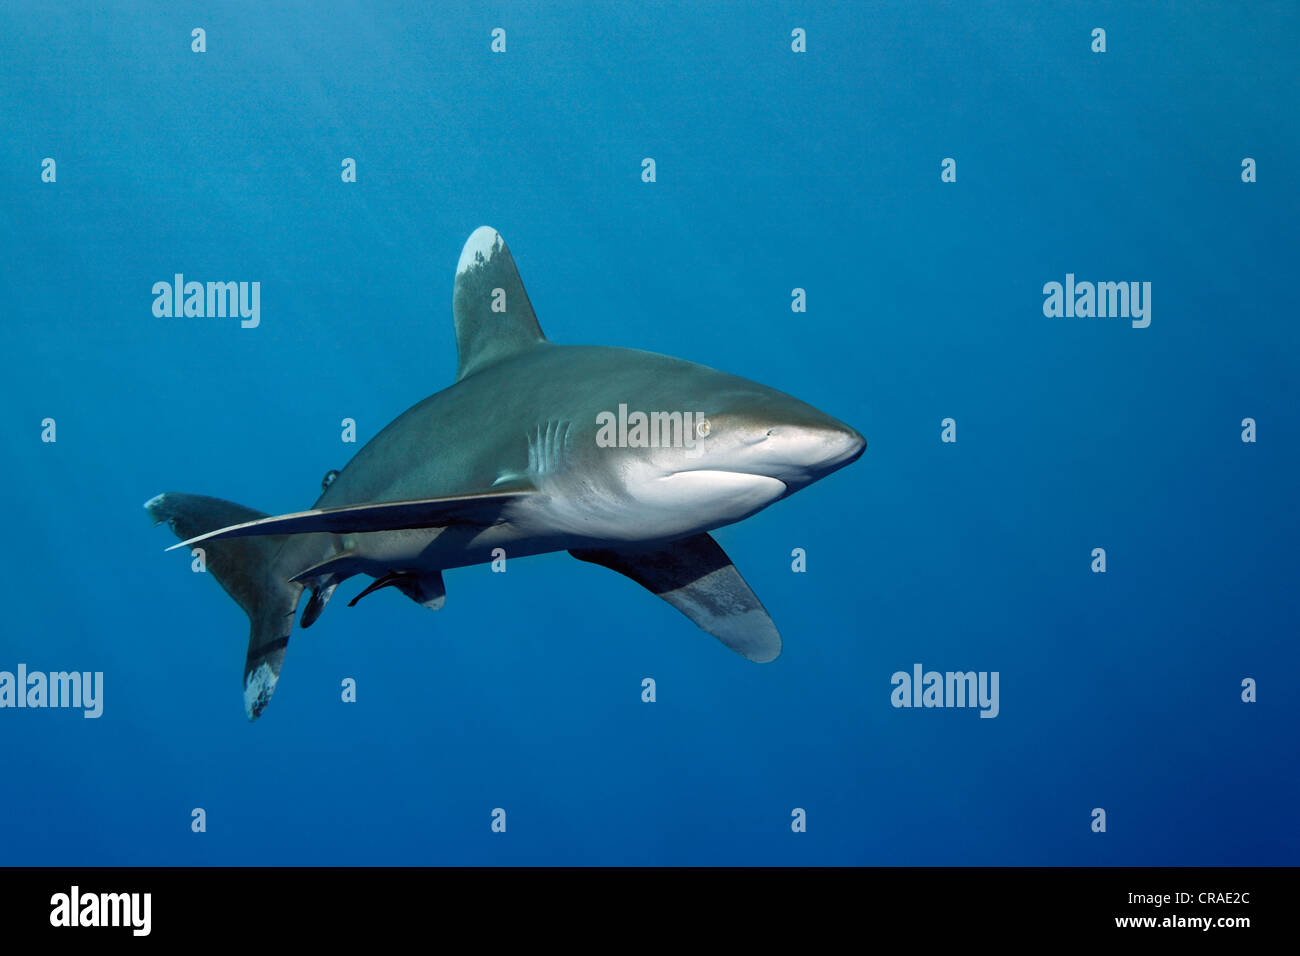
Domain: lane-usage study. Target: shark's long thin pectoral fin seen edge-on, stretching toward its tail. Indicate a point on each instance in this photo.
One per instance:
(391, 516)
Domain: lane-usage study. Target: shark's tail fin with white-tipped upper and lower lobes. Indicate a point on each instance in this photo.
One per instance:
(245, 568)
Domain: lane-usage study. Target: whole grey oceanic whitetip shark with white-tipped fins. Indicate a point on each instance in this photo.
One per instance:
(522, 455)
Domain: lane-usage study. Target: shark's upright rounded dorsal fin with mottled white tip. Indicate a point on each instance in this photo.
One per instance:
(495, 319)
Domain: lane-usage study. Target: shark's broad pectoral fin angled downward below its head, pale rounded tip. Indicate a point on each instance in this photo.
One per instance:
(697, 578)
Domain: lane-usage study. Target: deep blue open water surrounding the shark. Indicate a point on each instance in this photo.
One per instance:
(774, 171)
